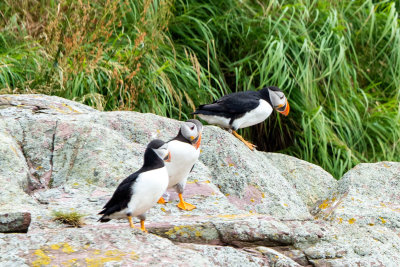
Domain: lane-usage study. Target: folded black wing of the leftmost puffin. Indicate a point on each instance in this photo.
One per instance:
(120, 198)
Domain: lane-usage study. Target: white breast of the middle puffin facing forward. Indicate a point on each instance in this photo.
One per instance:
(183, 157)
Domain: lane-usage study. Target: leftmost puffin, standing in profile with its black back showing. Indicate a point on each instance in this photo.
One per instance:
(140, 190)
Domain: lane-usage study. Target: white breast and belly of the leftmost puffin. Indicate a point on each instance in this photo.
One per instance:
(147, 190)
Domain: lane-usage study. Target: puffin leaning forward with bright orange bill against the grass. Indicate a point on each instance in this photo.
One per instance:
(243, 109)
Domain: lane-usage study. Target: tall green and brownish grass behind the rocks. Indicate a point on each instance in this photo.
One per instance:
(337, 62)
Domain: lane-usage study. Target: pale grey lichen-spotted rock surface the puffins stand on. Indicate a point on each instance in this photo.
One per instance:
(253, 208)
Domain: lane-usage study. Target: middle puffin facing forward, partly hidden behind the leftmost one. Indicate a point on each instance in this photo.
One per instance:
(185, 150)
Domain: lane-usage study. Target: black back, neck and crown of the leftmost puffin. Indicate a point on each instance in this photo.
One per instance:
(123, 193)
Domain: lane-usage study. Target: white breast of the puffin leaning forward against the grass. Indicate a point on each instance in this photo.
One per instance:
(254, 116)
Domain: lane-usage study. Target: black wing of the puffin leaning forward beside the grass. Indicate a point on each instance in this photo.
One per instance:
(235, 103)
